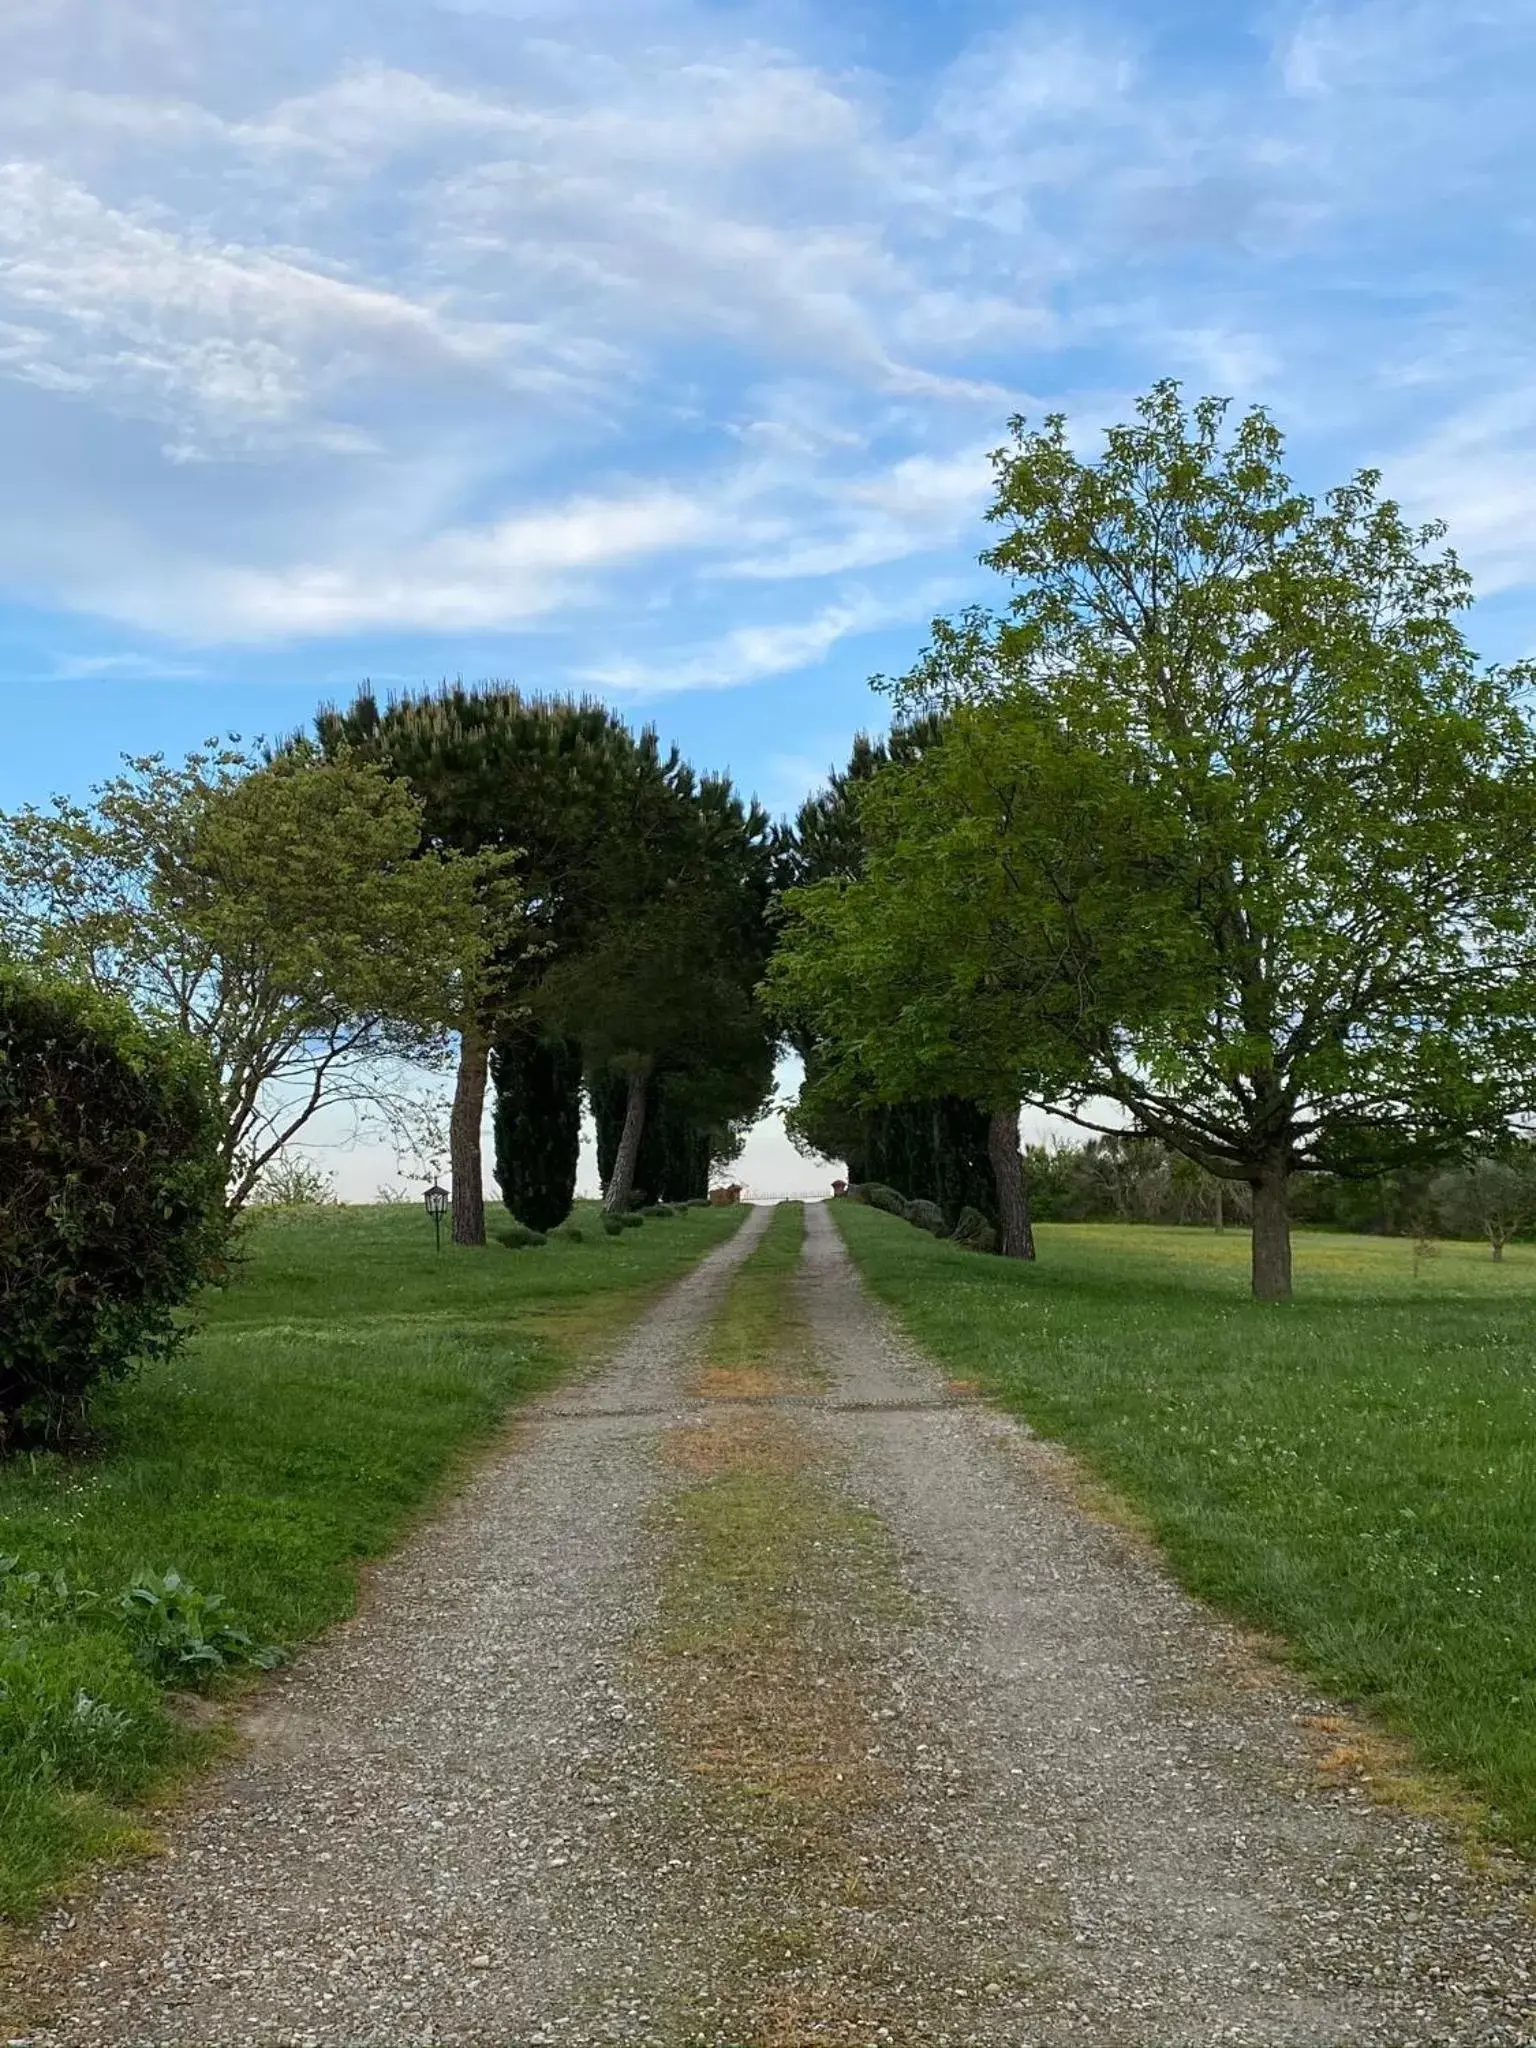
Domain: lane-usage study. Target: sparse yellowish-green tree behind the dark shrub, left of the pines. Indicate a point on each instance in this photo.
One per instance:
(278, 910)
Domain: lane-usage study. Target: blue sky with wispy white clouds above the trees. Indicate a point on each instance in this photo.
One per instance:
(656, 347)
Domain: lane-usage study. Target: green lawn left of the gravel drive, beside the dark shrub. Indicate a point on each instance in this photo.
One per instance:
(327, 1396)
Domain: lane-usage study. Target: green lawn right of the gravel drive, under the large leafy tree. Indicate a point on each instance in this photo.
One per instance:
(1353, 1471)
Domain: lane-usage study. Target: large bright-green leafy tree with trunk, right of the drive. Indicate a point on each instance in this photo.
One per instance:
(1224, 824)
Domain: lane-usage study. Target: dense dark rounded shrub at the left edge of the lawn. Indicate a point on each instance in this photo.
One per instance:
(112, 1195)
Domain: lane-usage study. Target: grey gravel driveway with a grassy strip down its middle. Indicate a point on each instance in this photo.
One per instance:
(1084, 1816)
